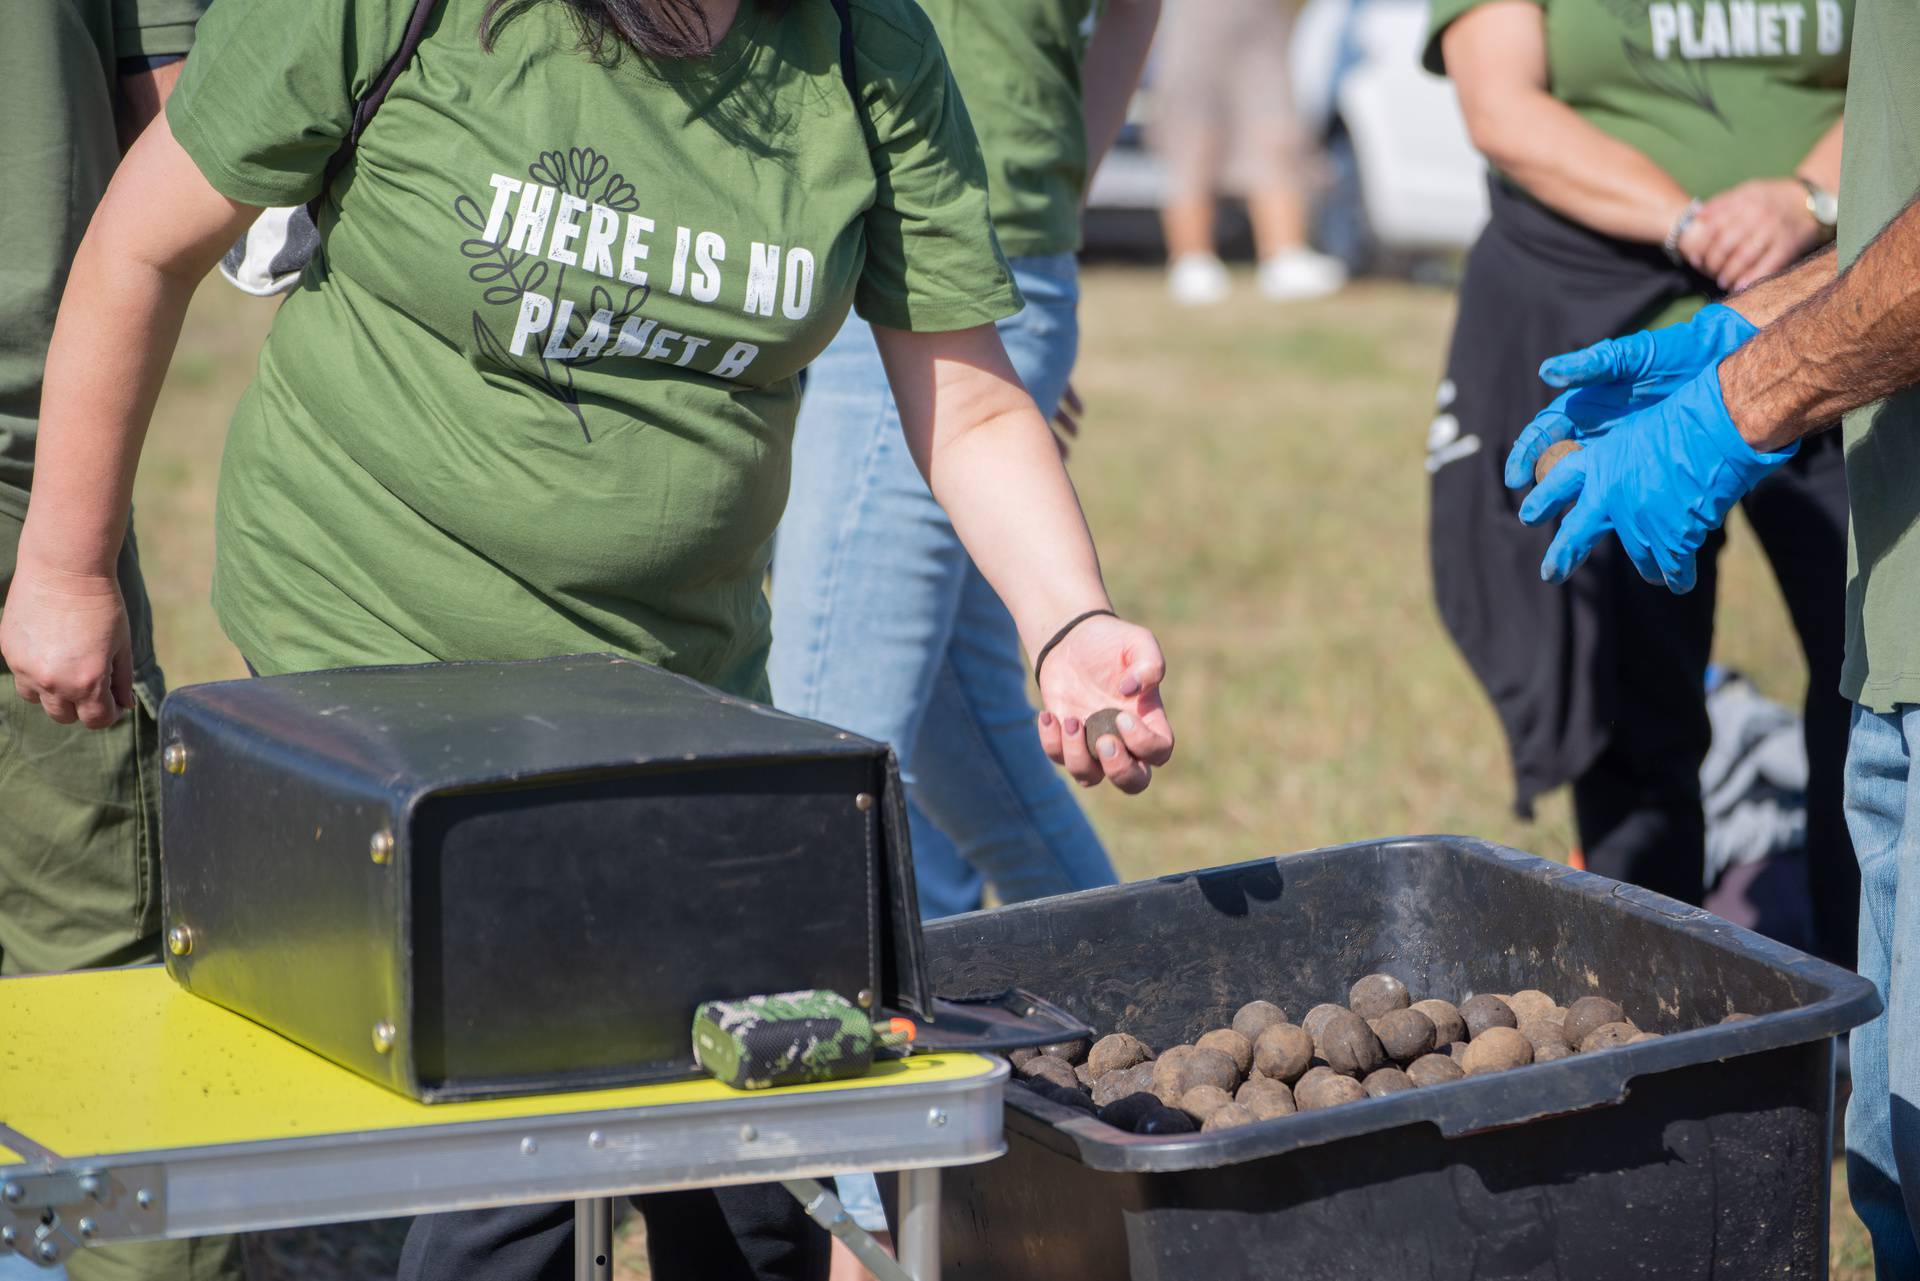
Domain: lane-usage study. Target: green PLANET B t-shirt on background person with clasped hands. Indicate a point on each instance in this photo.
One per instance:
(1714, 91)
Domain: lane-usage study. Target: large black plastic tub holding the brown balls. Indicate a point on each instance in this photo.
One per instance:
(1698, 1155)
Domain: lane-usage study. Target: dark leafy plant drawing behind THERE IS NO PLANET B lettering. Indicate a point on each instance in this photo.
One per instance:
(508, 276)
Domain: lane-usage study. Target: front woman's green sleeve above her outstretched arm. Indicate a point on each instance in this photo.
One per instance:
(932, 258)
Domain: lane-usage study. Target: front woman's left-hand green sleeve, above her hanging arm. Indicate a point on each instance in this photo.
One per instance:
(270, 89)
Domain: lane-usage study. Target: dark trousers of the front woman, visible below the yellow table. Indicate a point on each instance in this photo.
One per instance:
(731, 1234)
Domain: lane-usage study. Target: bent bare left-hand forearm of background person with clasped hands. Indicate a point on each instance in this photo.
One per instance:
(1497, 55)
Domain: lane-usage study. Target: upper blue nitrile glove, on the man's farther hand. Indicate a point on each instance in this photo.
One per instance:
(1620, 375)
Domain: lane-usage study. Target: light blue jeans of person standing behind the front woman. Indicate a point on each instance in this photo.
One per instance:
(884, 627)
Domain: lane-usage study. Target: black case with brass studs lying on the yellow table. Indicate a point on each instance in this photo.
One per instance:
(491, 879)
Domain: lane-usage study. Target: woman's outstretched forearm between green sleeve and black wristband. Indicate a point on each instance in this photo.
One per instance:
(992, 462)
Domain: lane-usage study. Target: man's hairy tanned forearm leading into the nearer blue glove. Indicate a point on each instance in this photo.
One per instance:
(1850, 343)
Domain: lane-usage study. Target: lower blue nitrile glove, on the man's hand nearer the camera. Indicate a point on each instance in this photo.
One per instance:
(1662, 479)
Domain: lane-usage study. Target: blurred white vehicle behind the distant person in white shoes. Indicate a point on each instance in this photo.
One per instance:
(1403, 178)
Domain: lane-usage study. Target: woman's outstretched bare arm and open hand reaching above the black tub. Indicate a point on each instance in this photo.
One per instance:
(992, 464)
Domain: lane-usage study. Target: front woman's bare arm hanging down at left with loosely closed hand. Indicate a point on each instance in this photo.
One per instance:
(156, 235)
